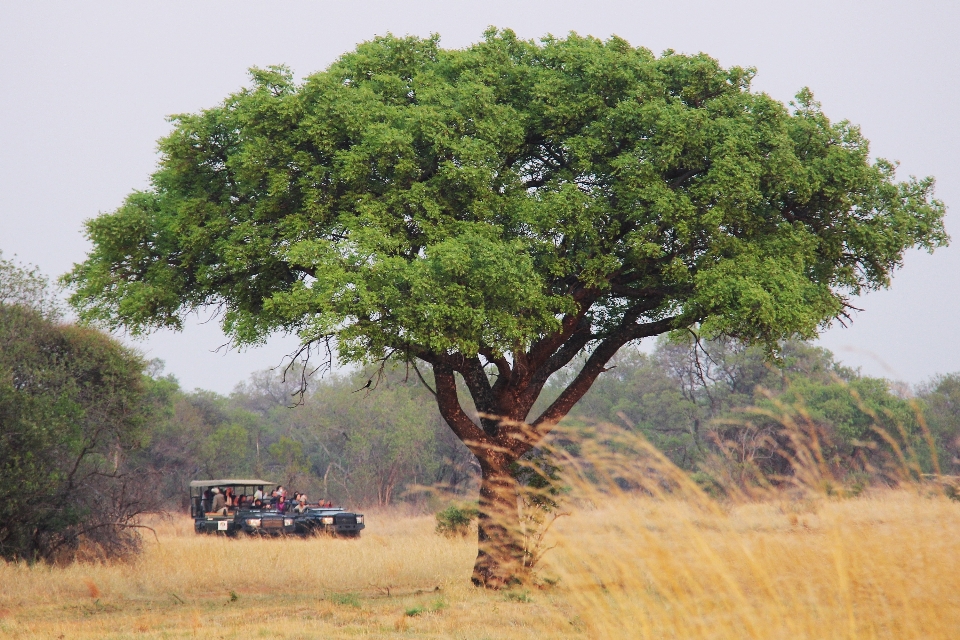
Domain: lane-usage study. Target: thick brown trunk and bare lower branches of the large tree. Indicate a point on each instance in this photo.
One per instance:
(500, 433)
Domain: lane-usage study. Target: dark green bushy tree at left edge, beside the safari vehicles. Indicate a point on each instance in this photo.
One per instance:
(73, 405)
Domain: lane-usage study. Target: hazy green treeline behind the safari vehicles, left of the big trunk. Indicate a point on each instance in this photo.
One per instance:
(366, 447)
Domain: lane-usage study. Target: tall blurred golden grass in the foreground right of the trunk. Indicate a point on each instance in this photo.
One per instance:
(880, 566)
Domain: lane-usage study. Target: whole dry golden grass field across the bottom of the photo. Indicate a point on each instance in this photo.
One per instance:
(883, 565)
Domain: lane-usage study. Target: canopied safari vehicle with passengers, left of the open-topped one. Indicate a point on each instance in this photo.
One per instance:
(246, 519)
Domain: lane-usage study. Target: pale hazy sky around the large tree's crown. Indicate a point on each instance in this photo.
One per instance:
(85, 87)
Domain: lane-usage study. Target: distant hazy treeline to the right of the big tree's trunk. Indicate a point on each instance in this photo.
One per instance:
(706, 401)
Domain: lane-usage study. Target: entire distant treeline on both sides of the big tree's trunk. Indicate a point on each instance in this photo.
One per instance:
(703, 404)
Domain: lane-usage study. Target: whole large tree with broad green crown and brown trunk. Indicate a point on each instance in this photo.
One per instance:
(494, 211)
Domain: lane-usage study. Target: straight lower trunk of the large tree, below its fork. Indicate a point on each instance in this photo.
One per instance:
(500, 546)
